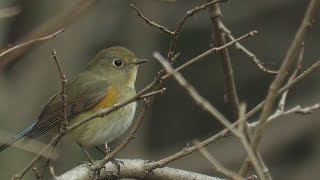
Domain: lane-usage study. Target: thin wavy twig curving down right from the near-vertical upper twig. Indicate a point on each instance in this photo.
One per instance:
(245, 51)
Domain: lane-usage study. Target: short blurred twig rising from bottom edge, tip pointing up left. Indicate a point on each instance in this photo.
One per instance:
(215, 163)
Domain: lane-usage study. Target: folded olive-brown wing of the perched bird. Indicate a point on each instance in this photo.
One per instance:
(82, 94)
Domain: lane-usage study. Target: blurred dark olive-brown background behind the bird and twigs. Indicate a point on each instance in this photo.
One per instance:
(291, 146)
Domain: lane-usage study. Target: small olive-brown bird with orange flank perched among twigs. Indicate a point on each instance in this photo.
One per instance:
(108, 80)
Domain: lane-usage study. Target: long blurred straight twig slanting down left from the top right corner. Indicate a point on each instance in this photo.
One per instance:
(276, 84)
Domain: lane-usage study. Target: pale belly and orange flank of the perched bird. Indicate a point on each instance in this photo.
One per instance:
(110, 127)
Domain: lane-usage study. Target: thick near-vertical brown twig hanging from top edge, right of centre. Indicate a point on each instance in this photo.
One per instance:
(219, 39)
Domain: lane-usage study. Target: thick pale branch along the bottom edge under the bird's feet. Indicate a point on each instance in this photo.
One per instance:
(134, 169)
